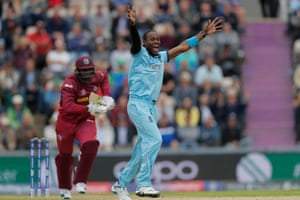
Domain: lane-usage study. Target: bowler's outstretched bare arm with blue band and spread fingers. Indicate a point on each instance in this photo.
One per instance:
(212, 26)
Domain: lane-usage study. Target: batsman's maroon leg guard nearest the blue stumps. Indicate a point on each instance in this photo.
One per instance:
(64, 164)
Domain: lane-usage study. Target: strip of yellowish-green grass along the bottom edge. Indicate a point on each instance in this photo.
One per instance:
(226, 195)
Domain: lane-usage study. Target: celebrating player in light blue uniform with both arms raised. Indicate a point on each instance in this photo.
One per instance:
(145, 81)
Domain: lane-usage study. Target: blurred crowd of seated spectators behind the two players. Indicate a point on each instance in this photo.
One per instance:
(202, 102)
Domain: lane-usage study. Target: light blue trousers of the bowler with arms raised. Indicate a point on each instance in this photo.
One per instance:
(144, 116)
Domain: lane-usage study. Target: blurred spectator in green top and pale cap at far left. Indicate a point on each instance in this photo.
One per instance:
(16, 112)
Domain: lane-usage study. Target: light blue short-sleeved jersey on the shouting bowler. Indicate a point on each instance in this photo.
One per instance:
(146, 74)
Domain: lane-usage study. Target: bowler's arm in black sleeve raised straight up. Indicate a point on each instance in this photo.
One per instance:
(136, 41)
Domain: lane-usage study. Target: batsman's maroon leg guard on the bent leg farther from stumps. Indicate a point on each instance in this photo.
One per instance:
(88, 154)
